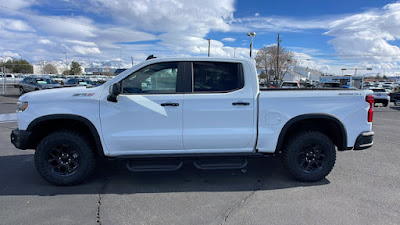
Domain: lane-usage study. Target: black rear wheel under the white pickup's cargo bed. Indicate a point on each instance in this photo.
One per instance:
(309, 156)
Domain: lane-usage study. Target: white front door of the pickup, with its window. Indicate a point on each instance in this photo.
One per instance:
(148, 113)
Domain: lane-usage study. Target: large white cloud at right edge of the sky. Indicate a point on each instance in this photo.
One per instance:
(366, 37)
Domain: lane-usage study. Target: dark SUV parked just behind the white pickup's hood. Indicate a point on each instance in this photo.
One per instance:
(34, 84)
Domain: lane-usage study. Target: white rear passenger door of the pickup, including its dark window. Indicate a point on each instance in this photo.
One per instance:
(218, 112)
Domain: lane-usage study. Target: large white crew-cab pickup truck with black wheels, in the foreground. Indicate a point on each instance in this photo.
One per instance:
(211, 111)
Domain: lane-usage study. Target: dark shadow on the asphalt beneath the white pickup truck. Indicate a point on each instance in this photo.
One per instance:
(19, 177)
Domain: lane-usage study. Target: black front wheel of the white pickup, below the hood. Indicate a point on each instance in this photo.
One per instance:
(65, 158)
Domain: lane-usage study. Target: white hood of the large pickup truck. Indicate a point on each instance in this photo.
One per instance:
(69, 93)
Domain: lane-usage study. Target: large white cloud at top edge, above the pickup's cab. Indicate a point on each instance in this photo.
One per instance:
(171, 16)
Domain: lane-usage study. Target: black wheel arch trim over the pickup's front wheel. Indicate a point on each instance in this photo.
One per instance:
(50, 123)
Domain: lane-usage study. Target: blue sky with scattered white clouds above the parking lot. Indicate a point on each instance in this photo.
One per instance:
(324, 35)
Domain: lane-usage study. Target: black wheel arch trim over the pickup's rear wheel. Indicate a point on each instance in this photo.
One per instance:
(326, 123)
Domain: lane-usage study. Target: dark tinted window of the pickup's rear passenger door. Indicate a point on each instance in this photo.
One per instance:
(217, 76)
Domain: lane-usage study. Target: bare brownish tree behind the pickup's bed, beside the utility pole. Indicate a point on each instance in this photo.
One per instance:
(276, 67)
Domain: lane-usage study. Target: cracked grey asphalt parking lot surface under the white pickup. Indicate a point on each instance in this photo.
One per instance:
(363, 188)
